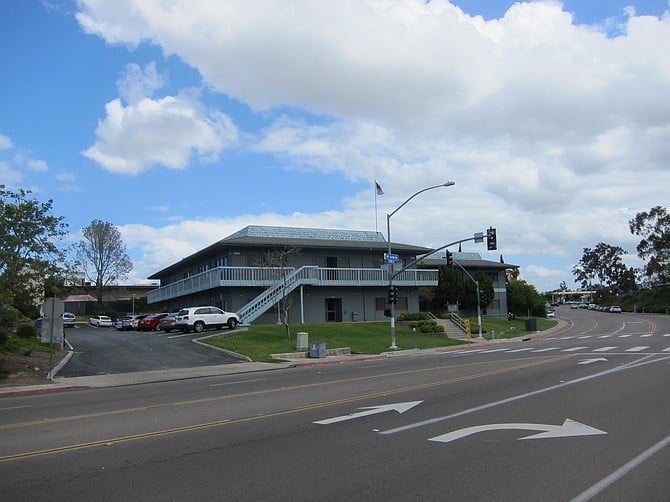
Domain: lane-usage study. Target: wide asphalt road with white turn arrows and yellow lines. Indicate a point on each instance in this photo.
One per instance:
(582, 415)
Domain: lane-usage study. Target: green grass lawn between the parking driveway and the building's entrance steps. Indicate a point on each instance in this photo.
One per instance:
(258, 342)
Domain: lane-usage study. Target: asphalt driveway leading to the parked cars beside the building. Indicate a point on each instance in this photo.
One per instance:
(102, 351)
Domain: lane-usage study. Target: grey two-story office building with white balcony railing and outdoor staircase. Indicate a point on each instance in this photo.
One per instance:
(329, 275)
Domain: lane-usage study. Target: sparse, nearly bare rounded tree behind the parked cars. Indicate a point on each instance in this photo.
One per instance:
(102, 255)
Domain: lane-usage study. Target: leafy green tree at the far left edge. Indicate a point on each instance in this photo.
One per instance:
(29, 252)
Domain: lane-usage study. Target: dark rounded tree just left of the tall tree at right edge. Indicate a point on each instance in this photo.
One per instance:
(603, 267)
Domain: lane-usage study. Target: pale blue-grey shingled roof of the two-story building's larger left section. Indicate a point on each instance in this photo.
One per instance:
(312, 238)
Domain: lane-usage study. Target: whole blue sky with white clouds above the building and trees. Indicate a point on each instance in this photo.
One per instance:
(182, 126)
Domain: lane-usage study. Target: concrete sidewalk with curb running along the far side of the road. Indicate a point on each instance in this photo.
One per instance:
(62, 384)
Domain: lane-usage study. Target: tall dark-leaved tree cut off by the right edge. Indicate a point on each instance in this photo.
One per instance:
(654, 228)
